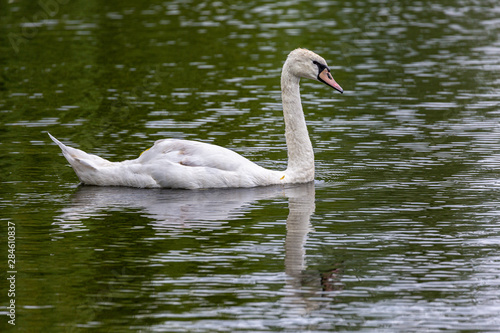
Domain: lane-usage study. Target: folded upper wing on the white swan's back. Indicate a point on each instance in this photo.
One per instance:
(194, 154)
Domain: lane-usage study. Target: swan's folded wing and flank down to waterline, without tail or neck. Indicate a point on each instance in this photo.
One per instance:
(189, 164)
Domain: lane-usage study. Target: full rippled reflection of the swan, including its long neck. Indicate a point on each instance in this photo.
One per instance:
(171, 212)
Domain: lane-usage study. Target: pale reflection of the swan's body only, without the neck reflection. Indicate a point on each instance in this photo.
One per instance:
(166, 208)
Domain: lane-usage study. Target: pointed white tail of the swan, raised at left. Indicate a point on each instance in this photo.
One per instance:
(84, 164)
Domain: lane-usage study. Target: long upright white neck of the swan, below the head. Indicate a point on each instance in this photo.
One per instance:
(300, 151)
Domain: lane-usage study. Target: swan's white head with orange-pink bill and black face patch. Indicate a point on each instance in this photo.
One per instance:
(307, 64)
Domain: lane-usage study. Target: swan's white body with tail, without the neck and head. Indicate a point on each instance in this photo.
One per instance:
(174, 164)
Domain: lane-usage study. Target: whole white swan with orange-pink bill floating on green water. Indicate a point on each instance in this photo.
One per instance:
(173, 163)
